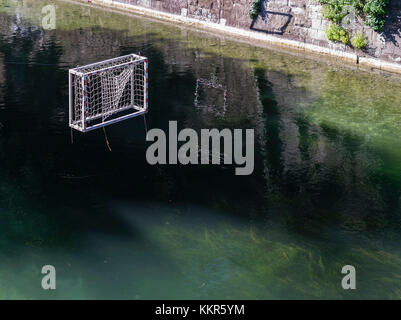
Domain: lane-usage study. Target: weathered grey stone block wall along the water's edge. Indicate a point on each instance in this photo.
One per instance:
(299, 20)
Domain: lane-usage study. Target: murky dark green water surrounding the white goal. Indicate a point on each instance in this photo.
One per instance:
(326, 190)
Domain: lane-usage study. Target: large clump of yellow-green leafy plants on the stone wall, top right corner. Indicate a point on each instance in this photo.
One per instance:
(373, 13)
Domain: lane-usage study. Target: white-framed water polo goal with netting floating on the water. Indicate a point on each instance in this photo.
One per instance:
(108, 92)
